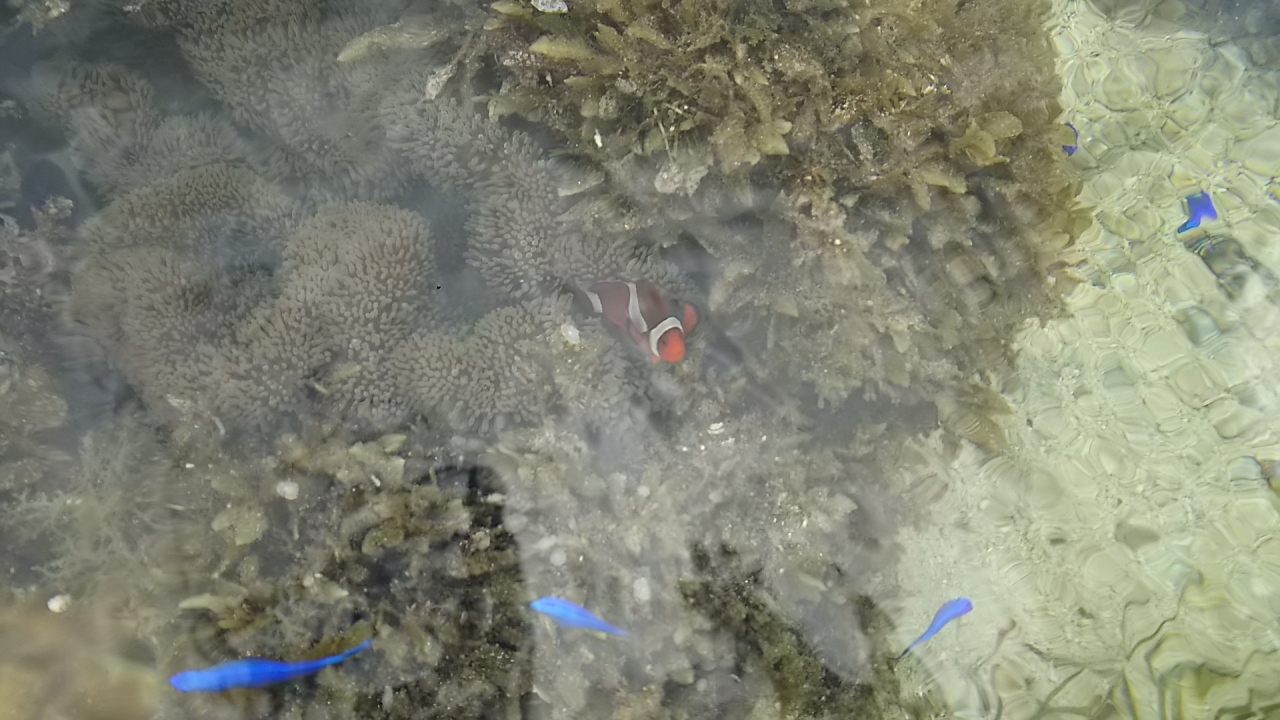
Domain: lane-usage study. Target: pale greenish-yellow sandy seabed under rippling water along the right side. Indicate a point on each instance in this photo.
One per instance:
(1122, 555)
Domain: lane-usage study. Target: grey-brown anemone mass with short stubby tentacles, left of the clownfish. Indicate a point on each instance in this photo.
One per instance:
(212, 294)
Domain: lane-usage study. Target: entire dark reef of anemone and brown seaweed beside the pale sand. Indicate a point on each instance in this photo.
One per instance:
(328, 250)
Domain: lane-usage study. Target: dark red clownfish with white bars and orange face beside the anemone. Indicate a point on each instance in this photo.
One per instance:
(639, 309)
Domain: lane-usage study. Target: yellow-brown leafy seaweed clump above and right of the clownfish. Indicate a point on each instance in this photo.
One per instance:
(900, 206)
